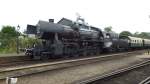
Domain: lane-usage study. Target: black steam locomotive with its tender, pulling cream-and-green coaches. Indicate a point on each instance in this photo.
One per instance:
(72, 38)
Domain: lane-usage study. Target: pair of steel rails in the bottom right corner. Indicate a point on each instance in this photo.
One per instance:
(100, 79)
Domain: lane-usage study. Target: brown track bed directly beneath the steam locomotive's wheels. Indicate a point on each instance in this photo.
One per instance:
(13, 61)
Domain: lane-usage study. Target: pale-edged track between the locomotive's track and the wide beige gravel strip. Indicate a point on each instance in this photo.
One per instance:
(36, 68)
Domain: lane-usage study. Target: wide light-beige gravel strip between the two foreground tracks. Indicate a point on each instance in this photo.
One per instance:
(69, 75)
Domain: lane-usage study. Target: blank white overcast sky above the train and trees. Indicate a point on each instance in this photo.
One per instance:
(130, 15)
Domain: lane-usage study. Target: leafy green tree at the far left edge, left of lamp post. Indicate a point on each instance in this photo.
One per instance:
(8, 36)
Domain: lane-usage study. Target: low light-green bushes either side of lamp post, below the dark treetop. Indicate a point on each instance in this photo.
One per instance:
(10, 46)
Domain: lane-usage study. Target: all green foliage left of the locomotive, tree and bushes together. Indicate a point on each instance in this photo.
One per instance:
(8, 38)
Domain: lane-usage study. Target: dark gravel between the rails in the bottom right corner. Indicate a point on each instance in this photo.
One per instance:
(131, 77)
